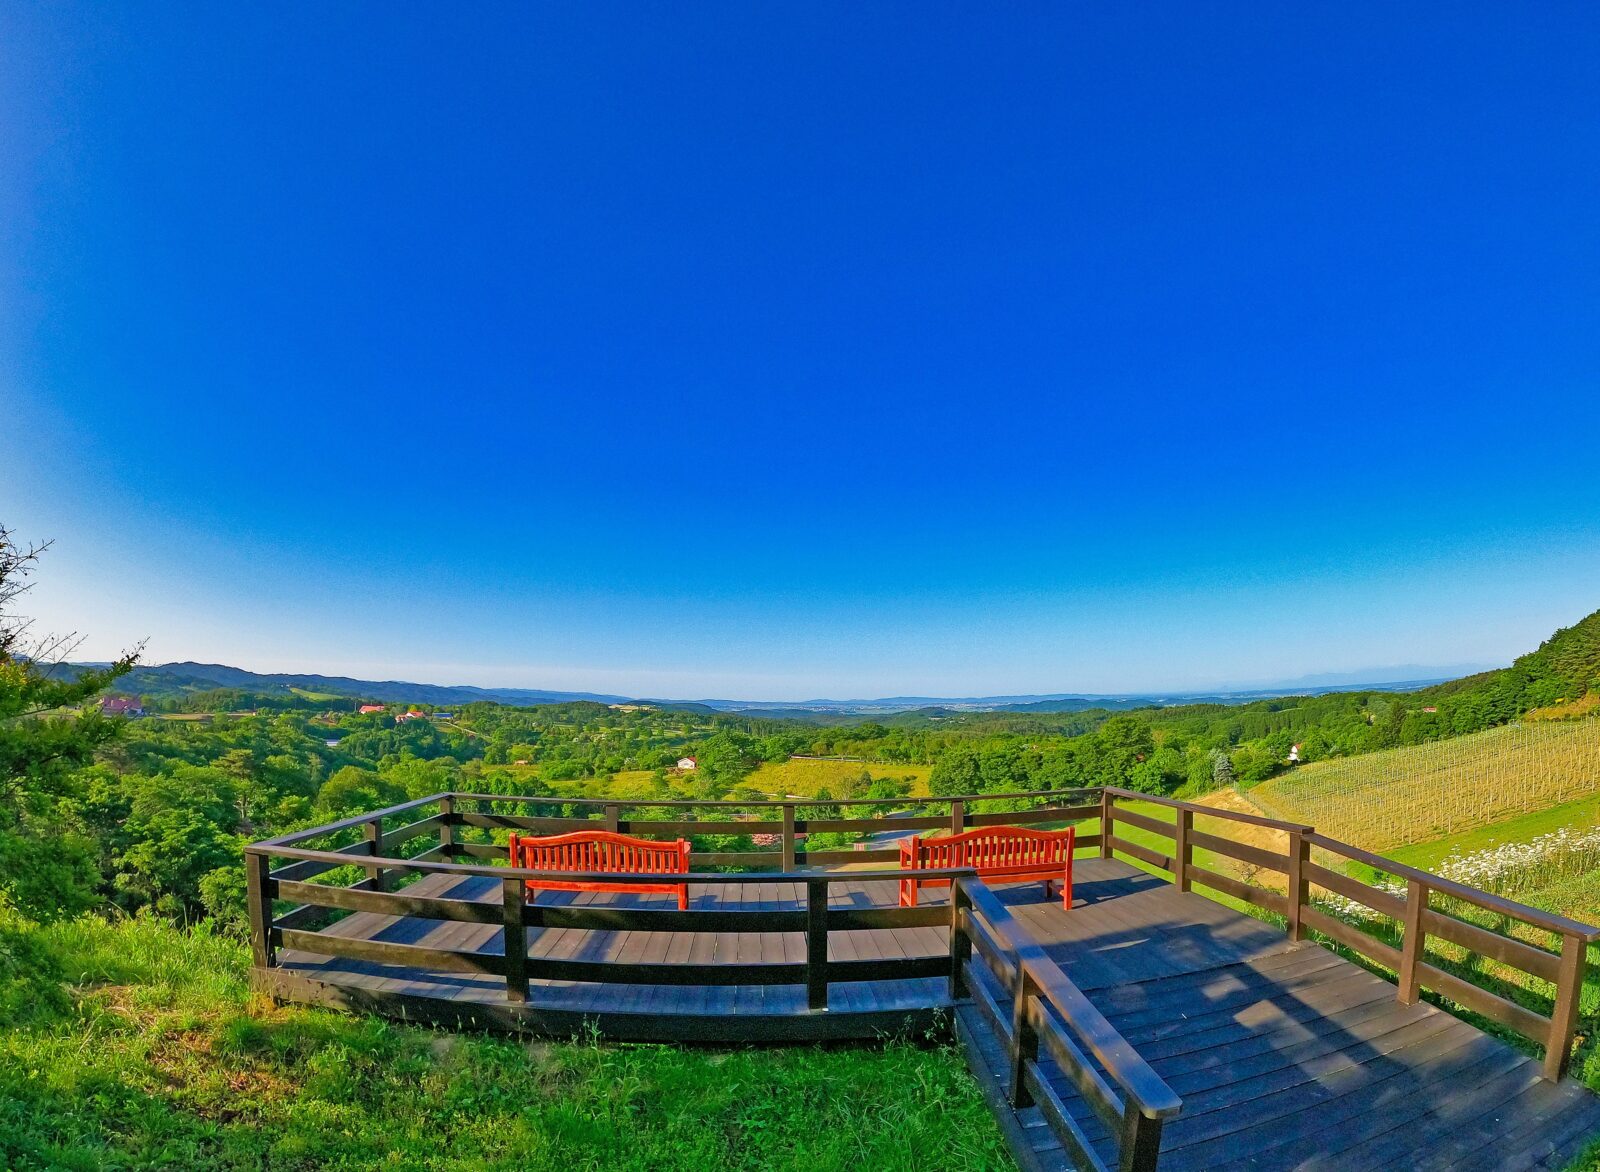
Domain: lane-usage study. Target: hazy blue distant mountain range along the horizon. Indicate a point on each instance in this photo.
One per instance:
(188, 678)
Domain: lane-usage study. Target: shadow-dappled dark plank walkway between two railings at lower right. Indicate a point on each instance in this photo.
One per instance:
(1286, 1054)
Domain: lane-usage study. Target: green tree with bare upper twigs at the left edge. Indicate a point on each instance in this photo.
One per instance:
(44, 742)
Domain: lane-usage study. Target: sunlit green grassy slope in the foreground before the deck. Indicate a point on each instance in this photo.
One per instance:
(164, 1061)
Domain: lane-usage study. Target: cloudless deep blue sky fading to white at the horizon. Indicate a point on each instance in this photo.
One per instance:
(812, 350)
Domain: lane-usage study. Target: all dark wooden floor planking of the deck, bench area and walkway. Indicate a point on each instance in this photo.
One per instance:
(1286, 1054)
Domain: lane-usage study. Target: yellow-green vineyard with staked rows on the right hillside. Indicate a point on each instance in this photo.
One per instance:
(1426, 792)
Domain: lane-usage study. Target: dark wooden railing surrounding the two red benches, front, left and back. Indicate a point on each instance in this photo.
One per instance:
(308, 859)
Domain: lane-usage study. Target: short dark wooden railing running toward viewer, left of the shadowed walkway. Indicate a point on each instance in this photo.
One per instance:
(1049, 1011)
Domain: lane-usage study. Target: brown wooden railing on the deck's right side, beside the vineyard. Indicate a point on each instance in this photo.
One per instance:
(1414, 915)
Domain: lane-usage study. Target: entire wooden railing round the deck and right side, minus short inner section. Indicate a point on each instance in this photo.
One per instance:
(436, 835)
